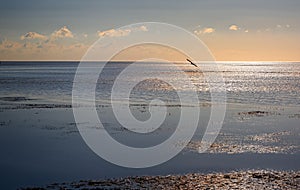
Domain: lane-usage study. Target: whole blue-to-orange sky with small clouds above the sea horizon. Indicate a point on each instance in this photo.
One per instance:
(233, 30)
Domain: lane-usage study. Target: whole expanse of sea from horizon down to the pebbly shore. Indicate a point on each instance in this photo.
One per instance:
(40, 143)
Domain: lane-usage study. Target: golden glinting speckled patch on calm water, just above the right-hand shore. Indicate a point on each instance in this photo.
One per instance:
(260, 144)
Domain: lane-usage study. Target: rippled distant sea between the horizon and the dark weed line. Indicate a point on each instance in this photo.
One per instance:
(250, 83)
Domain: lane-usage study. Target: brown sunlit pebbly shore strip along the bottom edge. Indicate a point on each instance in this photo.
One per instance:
(252, 179)
